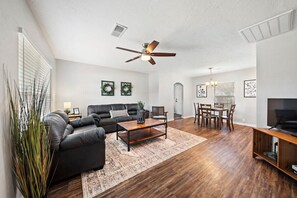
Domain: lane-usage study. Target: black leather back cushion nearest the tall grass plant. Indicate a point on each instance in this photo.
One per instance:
(56, 126)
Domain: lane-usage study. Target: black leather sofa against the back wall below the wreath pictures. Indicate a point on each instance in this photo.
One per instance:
(103, 118)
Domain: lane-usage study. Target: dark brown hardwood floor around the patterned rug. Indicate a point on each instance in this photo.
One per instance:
(222, 166)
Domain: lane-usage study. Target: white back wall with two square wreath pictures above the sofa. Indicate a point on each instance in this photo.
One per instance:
(80, 84)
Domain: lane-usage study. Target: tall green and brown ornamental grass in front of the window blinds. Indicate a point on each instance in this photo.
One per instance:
(30, 144)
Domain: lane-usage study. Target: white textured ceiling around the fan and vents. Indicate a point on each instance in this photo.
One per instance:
(203, 33)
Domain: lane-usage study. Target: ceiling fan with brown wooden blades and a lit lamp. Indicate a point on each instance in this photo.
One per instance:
(147, 53)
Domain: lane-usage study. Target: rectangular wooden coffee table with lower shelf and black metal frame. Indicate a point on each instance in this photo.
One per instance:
(134, 133)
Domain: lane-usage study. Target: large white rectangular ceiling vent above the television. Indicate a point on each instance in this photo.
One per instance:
(269, 28)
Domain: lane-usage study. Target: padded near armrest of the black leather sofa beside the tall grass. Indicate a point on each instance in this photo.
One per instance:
(77, 140)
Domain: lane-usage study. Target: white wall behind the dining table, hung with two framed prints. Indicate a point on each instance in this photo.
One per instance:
(245, 111)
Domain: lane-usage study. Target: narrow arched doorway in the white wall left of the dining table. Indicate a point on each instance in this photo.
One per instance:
(178, 100)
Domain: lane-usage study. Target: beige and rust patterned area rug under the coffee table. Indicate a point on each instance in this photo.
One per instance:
(121, 165)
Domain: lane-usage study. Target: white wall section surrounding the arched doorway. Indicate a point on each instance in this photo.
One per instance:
(164, 82)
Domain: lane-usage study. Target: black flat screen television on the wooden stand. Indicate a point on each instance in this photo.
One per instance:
(282, 114)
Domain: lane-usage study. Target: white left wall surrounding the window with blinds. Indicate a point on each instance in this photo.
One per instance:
(14, 14)
